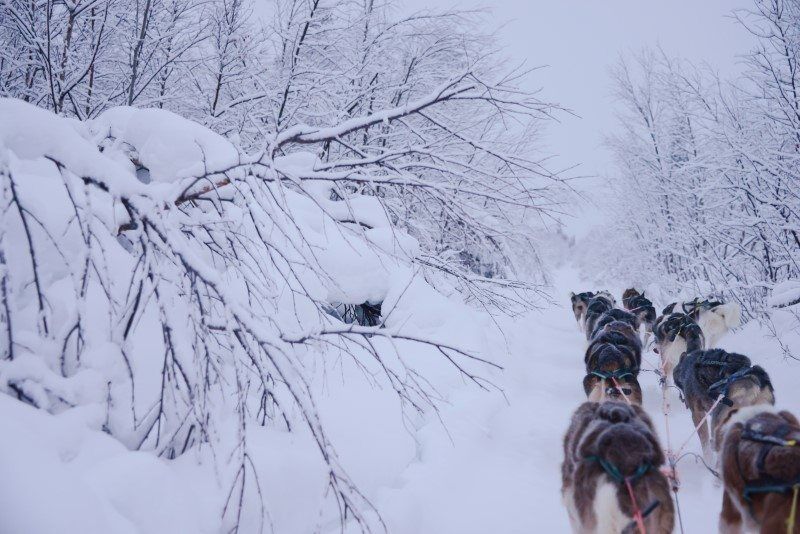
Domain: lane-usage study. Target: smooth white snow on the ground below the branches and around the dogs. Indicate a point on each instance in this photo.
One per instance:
(490, 463)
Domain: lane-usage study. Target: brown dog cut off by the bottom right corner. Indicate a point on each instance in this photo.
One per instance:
(760, 462)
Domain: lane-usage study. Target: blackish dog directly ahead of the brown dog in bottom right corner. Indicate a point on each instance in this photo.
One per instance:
(703, 374)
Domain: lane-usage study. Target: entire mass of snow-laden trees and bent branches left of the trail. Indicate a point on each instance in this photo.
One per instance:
(177, 288)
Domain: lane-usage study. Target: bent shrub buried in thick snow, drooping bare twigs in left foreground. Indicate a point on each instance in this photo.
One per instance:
(175, 292)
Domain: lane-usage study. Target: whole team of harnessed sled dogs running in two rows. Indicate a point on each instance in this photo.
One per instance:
(614, 478)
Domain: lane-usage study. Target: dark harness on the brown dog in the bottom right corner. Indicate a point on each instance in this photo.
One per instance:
(766, 483)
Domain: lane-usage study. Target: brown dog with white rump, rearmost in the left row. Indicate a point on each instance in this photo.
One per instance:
(610, 475)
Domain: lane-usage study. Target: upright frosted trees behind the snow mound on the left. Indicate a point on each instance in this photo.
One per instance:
(460, 177)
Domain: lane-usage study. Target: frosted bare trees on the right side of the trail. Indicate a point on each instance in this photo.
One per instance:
(708, 169)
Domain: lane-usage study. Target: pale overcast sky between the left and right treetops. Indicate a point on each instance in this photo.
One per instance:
(579, 40)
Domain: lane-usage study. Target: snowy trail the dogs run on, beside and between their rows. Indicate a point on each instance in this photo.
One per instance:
(501, 471)
